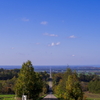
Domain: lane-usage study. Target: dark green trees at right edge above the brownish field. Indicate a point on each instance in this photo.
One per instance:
(90, 82)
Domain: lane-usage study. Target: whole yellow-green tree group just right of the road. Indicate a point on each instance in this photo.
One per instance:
(68, 86)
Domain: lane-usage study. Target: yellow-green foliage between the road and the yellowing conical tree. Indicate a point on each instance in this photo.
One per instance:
(60, 86)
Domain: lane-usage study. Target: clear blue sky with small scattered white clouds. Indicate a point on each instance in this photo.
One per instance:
(50, 32)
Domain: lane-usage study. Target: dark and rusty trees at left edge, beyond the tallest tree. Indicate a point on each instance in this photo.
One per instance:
(7, 80)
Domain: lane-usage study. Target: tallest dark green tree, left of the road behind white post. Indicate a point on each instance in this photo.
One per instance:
(28, 82)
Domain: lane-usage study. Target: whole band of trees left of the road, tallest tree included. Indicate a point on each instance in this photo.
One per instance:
(26, 81)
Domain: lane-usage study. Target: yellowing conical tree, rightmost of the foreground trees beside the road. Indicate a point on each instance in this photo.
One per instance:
(73, 88)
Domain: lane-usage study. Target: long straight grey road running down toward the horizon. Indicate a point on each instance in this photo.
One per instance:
(50, 96)
